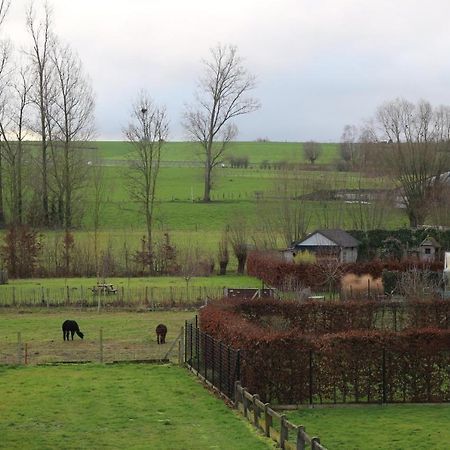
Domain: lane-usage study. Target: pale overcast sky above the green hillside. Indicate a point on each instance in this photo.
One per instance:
(320, 64)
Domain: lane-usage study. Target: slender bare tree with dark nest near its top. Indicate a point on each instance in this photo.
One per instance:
(147, 132)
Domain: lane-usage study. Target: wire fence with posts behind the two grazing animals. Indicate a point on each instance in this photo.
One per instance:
(148, 296)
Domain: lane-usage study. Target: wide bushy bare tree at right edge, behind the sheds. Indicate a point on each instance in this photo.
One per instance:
(416, 152)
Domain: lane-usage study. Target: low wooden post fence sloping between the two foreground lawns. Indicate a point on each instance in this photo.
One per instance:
(273, 424)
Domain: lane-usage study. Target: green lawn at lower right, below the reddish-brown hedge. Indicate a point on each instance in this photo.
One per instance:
(395, 427)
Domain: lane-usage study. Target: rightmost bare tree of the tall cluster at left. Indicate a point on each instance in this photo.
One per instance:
(72, 115)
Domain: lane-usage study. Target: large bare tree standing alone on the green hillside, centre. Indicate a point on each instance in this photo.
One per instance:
(221, 97)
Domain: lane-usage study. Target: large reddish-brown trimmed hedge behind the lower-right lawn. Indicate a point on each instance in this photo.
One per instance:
(315, 341)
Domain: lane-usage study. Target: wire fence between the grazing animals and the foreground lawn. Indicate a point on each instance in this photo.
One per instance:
(102, 348)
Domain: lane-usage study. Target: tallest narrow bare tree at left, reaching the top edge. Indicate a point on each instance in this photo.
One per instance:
(42, 38)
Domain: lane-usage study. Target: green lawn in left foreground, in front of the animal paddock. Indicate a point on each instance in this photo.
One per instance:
(116, 407)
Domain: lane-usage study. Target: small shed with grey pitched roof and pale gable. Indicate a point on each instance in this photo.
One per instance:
(325, 244)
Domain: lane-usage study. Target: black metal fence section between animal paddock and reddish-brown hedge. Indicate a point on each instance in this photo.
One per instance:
(216, 362)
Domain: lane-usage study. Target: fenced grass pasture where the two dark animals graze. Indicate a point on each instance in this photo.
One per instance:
(125, 335)
